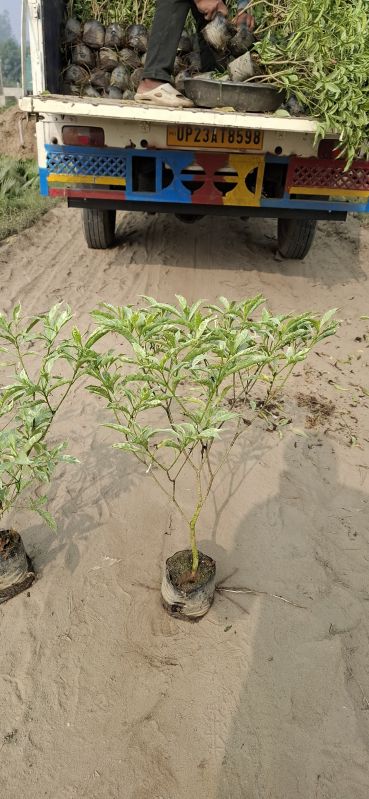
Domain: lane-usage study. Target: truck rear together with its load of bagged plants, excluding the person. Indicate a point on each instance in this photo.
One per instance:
(278, 131)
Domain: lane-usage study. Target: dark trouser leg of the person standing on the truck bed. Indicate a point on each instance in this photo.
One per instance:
(168, 24)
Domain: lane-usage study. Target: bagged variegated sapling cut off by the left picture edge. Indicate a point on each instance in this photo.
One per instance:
(39, 368)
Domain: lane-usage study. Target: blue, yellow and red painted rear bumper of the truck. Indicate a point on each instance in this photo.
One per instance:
(204, 182)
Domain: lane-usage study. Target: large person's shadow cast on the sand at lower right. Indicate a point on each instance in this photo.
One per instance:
(299, 726)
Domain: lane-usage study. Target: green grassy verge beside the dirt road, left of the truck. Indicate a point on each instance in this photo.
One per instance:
(20, 202)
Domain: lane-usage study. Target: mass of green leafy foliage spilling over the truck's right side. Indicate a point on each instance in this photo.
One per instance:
(318, 50)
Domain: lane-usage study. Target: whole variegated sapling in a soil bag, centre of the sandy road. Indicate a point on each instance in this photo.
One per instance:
(184, 377)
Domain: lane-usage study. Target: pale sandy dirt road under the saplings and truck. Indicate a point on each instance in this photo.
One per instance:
(102, 695)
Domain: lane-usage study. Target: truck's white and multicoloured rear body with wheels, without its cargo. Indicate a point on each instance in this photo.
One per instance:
(104, 156)
